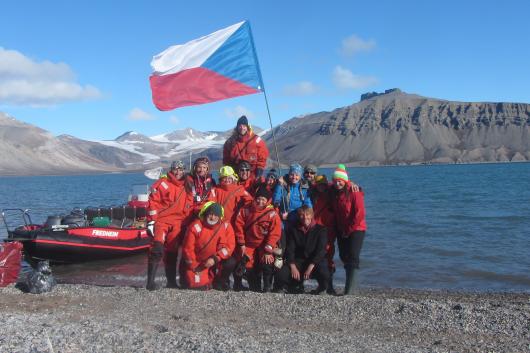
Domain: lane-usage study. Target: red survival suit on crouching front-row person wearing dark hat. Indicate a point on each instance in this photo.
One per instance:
(258, 230)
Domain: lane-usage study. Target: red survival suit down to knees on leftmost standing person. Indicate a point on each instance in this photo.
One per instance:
(170, 208)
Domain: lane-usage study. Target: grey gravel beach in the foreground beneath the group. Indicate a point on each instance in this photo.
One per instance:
(82, 318)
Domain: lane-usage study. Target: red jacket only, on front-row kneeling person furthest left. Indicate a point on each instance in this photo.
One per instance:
(202, 242)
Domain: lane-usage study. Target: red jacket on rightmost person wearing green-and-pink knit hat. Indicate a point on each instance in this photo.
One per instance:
(348, 207)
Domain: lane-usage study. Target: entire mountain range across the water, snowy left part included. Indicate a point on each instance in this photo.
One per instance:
(386, 128)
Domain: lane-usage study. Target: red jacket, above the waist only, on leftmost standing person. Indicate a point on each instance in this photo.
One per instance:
(168, 200)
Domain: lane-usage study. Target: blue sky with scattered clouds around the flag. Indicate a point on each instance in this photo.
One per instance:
(82, 67)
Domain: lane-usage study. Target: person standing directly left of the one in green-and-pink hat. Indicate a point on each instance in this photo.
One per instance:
(324, 216)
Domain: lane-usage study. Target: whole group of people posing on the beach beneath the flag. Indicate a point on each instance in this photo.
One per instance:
(274, 231)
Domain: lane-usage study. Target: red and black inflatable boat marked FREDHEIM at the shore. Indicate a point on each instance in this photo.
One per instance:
(92, 234)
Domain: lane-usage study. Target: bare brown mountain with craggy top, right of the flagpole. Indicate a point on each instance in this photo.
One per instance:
(399, 128)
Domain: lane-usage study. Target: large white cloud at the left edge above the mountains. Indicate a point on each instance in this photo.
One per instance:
(30, 83)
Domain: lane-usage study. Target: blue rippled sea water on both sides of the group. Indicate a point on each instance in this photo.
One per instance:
(464, 227)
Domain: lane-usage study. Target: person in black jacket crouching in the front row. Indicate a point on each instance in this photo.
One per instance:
(305, 254)
